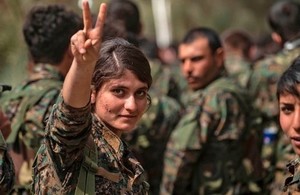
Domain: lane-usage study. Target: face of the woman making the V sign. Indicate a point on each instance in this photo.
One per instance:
(120, 103)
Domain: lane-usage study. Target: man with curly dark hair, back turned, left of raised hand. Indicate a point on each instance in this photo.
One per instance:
(47, 31)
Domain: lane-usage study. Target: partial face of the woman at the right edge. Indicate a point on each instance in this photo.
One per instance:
(289, 117)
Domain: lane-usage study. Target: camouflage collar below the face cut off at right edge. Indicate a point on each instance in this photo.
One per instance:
(292, 183)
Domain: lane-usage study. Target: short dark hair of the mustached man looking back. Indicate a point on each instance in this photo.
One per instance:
(212, 37)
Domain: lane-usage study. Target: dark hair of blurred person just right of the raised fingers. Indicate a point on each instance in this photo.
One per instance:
(126, 13)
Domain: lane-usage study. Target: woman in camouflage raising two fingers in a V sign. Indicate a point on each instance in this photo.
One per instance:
(85, 117)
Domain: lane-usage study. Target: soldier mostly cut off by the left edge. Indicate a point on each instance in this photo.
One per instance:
(7, 174)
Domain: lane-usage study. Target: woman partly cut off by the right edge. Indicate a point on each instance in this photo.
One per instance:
(288, 94)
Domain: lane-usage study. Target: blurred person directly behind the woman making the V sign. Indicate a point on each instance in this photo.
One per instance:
(152, 132)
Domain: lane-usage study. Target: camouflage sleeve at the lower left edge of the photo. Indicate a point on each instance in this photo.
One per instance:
(7, 173)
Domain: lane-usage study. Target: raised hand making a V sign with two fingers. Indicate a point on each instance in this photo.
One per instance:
(86, 43)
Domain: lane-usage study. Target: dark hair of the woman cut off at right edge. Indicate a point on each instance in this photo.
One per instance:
(289, 80)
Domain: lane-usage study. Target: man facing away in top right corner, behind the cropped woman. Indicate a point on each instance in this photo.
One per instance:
(283, 18)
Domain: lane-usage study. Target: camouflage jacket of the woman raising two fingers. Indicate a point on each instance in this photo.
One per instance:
(58, 161)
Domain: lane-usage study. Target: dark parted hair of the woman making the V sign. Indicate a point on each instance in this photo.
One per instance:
(116, 55)
